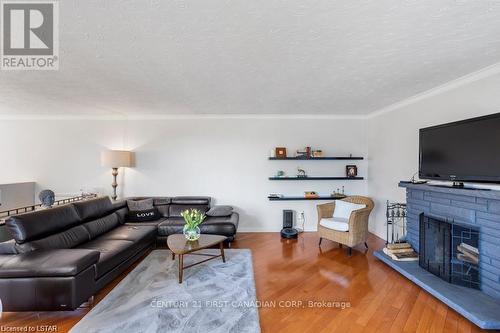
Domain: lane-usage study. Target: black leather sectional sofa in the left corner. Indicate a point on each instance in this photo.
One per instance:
(62, 256)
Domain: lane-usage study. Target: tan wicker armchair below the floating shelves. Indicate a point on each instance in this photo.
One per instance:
(358, 223)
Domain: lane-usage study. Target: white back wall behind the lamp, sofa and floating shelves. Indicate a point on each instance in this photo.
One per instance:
(225, 158)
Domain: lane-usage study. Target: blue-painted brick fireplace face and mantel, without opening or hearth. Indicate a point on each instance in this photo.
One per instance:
(477, 209)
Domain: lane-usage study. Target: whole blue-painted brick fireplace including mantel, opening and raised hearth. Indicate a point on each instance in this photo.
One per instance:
(457, 234)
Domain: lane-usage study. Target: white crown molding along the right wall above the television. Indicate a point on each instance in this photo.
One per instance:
(450, 85)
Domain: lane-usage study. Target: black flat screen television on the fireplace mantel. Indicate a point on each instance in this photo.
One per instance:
(462, 151)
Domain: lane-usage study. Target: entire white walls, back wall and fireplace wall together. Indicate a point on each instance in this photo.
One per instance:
(226, 157)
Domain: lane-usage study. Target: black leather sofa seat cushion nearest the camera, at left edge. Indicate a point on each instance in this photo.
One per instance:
(47, 263)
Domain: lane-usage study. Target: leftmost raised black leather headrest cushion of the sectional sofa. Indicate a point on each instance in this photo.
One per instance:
(42, 223)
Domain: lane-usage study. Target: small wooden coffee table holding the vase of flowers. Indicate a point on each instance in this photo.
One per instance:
(179, 245)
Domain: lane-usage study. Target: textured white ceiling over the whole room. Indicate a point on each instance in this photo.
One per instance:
(254, 57)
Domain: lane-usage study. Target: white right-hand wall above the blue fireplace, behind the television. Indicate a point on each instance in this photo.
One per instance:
(393, 135)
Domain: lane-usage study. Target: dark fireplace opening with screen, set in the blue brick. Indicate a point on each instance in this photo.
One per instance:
(450, 251)
